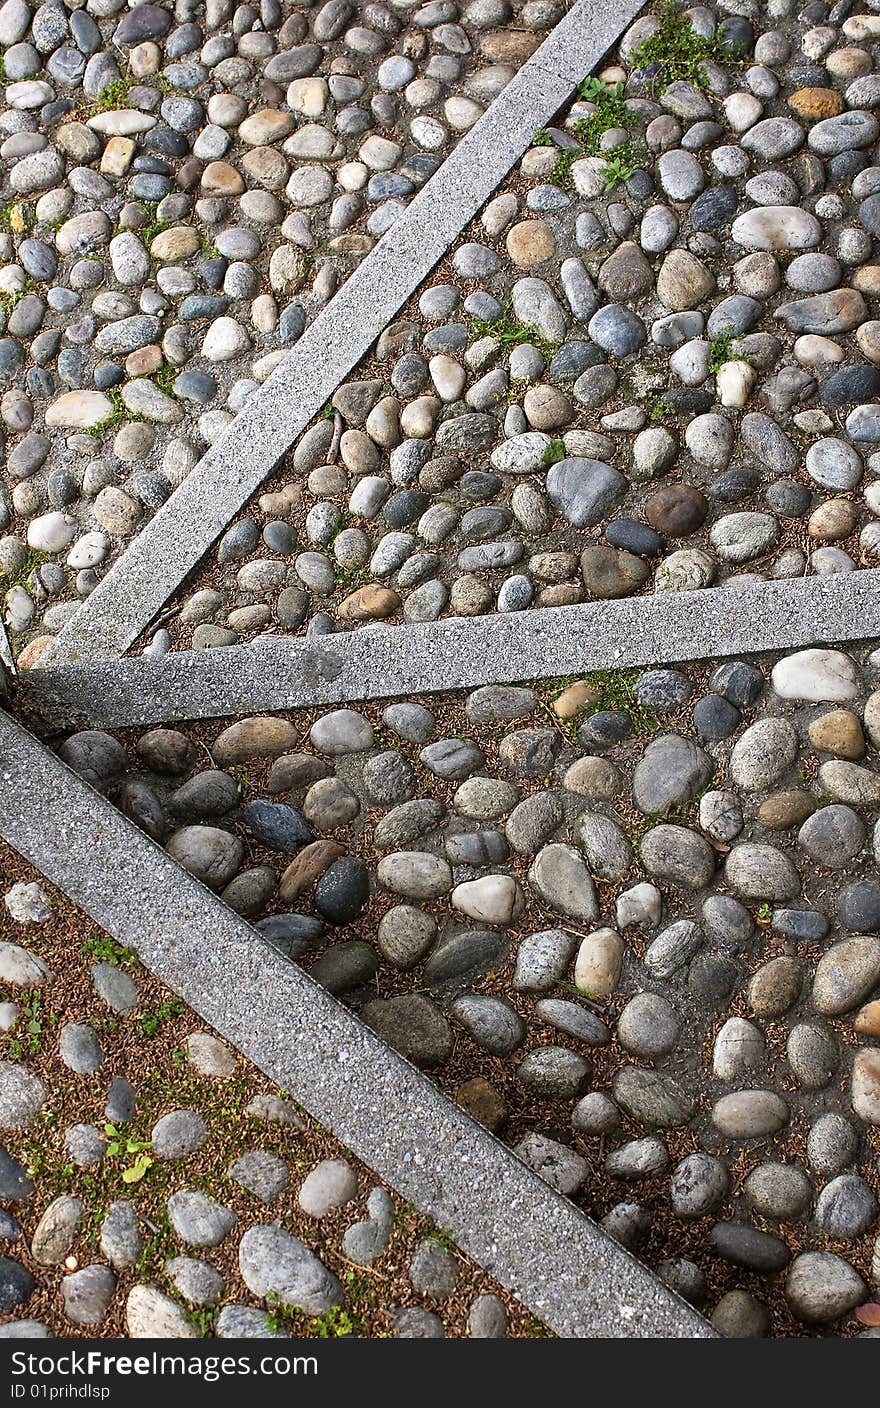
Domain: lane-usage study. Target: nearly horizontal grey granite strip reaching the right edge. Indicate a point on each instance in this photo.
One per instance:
(461, 653)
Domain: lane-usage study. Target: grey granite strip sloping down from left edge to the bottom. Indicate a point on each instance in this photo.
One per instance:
(537, 1244)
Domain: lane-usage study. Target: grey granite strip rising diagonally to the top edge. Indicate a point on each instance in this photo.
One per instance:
(174, 541)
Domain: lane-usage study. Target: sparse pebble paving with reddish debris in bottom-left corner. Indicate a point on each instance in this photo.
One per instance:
(157, 1186)
